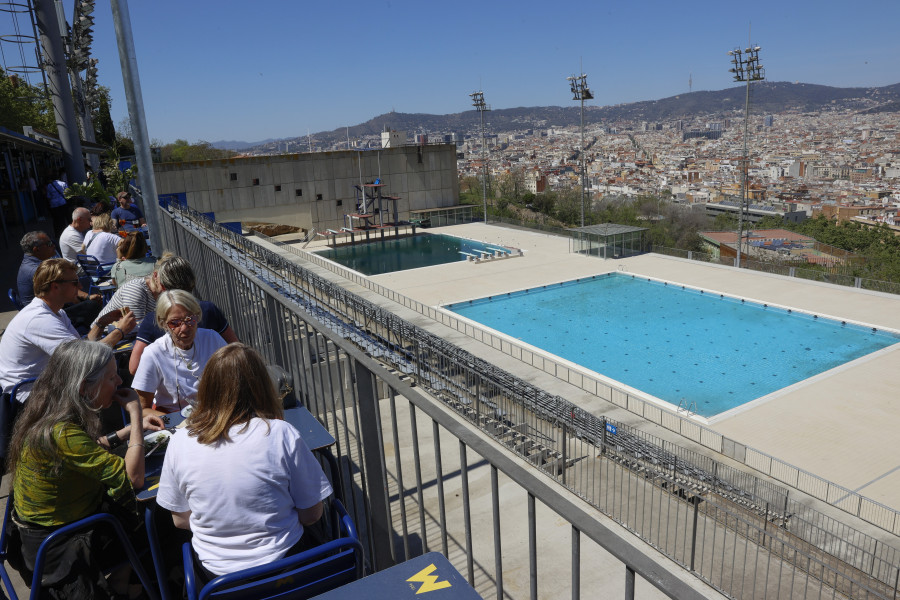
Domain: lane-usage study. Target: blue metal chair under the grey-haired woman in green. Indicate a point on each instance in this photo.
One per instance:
(87, 523)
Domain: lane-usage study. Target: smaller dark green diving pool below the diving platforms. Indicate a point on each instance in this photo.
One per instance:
(400, 254)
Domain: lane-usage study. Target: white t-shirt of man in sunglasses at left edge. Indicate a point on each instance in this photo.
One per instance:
(29, 340)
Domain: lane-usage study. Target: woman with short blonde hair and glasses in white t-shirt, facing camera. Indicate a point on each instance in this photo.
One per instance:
(169, 372)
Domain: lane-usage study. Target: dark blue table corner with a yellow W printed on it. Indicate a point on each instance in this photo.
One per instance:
(430, 573)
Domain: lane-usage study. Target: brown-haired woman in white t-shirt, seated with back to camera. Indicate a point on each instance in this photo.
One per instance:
(238, 476)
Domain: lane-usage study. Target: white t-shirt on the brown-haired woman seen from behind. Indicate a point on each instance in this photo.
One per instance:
(242, 494)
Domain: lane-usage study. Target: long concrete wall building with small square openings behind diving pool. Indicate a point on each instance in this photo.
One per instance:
(313, 190)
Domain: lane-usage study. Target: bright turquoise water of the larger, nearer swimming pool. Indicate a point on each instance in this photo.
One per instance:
(674, 343)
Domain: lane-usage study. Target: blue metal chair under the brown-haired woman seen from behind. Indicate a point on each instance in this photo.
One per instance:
(303, 575)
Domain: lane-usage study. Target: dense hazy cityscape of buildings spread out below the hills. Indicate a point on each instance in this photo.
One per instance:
(843, 161)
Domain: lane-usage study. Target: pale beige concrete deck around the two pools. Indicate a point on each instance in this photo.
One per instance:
(840, 425)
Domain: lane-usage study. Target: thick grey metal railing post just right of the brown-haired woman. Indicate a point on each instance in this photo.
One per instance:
(381, 533)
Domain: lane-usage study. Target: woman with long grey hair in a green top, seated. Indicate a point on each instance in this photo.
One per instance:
(61, 467)
